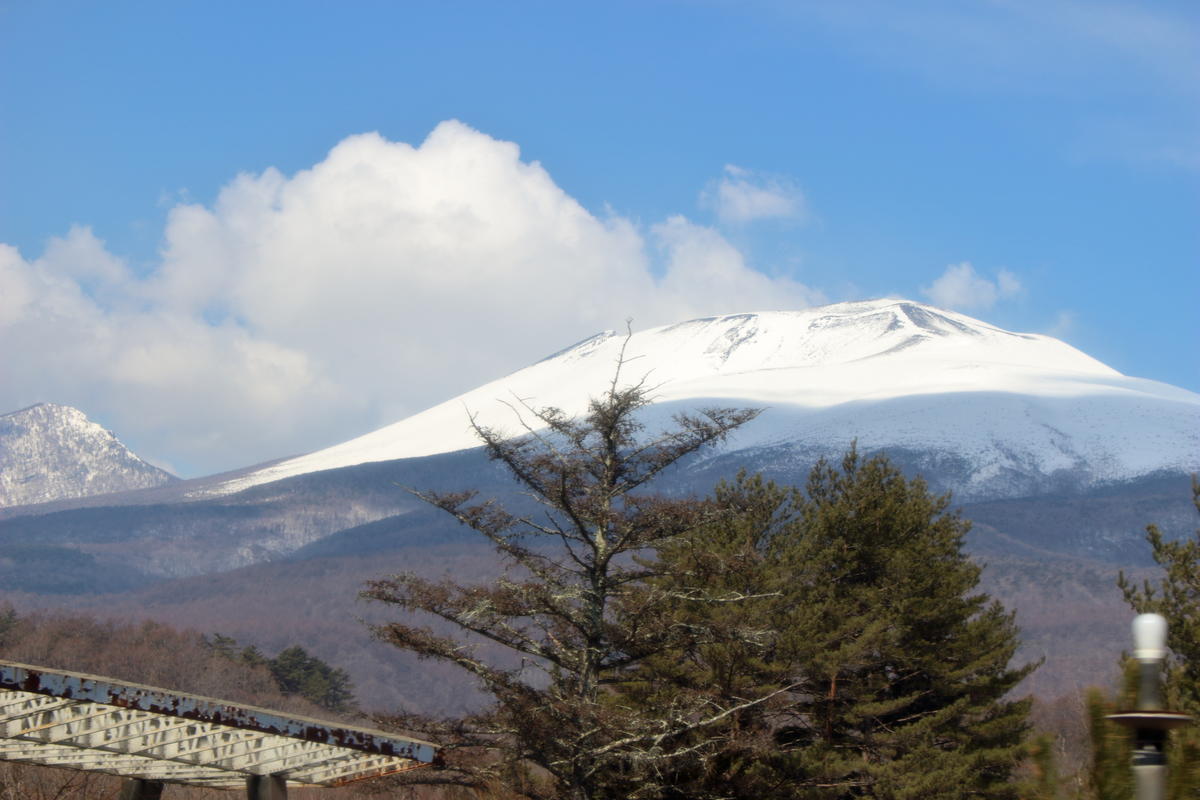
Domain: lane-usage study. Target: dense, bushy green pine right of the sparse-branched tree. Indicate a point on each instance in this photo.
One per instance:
(880, 670)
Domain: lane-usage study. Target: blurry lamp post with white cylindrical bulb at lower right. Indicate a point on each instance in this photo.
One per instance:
(1149, 720)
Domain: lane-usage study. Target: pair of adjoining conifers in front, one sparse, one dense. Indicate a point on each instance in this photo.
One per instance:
(764, 642)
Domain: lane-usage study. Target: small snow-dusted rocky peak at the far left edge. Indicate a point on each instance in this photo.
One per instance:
(53, 453)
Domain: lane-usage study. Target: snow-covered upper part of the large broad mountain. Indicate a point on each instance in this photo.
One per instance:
(1009, 413)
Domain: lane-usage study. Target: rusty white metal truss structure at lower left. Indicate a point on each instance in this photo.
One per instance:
(154, 737)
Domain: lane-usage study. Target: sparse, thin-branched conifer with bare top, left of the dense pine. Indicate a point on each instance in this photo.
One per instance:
(571, 612)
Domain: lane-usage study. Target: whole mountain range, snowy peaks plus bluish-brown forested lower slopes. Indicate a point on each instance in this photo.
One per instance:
(1059, 460)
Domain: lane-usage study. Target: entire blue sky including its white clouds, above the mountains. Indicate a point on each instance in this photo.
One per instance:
(205, 252)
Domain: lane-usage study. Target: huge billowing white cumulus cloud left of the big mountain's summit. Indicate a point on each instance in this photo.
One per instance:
(298, 311)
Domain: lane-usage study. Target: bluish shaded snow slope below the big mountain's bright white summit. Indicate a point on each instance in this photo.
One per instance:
(983, 446)
